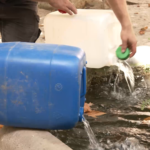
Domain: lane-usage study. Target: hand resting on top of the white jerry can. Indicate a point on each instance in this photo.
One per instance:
(64, 5)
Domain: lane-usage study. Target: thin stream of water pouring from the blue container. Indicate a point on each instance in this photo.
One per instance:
(93, 142)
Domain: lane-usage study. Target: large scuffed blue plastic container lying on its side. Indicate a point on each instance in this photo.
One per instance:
(41, 85)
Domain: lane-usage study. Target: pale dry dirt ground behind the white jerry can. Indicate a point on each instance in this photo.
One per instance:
(140, 16)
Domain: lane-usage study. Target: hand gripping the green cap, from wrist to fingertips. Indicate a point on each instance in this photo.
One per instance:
(128, 40)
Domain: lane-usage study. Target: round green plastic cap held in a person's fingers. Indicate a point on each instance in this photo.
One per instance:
(122, 56)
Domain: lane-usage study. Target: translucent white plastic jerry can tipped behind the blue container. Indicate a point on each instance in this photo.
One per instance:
(97, 32)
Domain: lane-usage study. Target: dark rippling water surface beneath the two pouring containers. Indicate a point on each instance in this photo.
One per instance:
(123, 126)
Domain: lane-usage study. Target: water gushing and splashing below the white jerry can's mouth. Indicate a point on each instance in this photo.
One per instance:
(135, 93)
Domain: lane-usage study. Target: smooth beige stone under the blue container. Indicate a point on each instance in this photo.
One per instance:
(25, 139)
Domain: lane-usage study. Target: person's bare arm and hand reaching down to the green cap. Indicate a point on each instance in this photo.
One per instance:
(127, 35)
